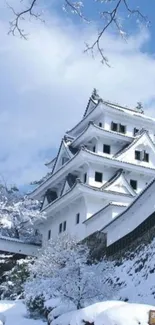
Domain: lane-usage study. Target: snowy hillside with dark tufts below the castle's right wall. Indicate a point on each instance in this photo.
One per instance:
(135, 273)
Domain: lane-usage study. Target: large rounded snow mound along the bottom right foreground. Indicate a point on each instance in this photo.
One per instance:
(107, 313)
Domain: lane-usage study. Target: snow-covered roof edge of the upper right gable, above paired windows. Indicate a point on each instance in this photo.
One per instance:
(138, 140)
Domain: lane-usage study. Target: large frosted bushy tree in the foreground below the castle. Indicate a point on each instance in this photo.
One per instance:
(63, 270)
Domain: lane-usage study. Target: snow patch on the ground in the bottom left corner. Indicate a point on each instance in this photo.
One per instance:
(15, 313)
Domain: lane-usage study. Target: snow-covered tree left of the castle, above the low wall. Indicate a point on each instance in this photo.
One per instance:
(18, 215)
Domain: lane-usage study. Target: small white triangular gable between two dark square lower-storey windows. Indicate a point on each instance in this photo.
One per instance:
(119, 180)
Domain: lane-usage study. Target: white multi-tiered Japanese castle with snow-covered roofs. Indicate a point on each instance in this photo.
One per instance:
(103, 166)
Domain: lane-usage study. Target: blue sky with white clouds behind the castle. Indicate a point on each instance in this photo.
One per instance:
(45, 83)
